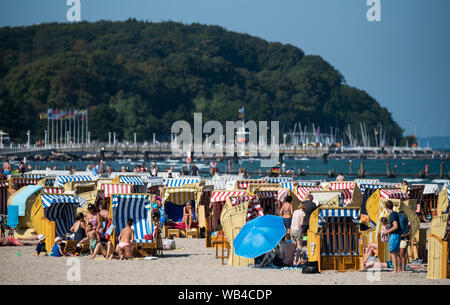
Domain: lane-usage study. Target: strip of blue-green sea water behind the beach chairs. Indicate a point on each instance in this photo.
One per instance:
(372, 167)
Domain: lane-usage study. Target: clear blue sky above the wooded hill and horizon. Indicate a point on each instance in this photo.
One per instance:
(402, 61)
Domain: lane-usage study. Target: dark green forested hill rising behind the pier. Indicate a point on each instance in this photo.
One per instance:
(141, 77)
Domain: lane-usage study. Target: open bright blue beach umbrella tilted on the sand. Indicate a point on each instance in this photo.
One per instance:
(259, 236)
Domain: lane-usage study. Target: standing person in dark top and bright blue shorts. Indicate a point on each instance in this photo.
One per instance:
(394, 236)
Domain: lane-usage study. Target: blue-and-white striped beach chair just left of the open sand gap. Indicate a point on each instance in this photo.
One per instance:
(136, 207)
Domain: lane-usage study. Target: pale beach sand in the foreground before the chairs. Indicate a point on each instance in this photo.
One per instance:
(191, 264)
